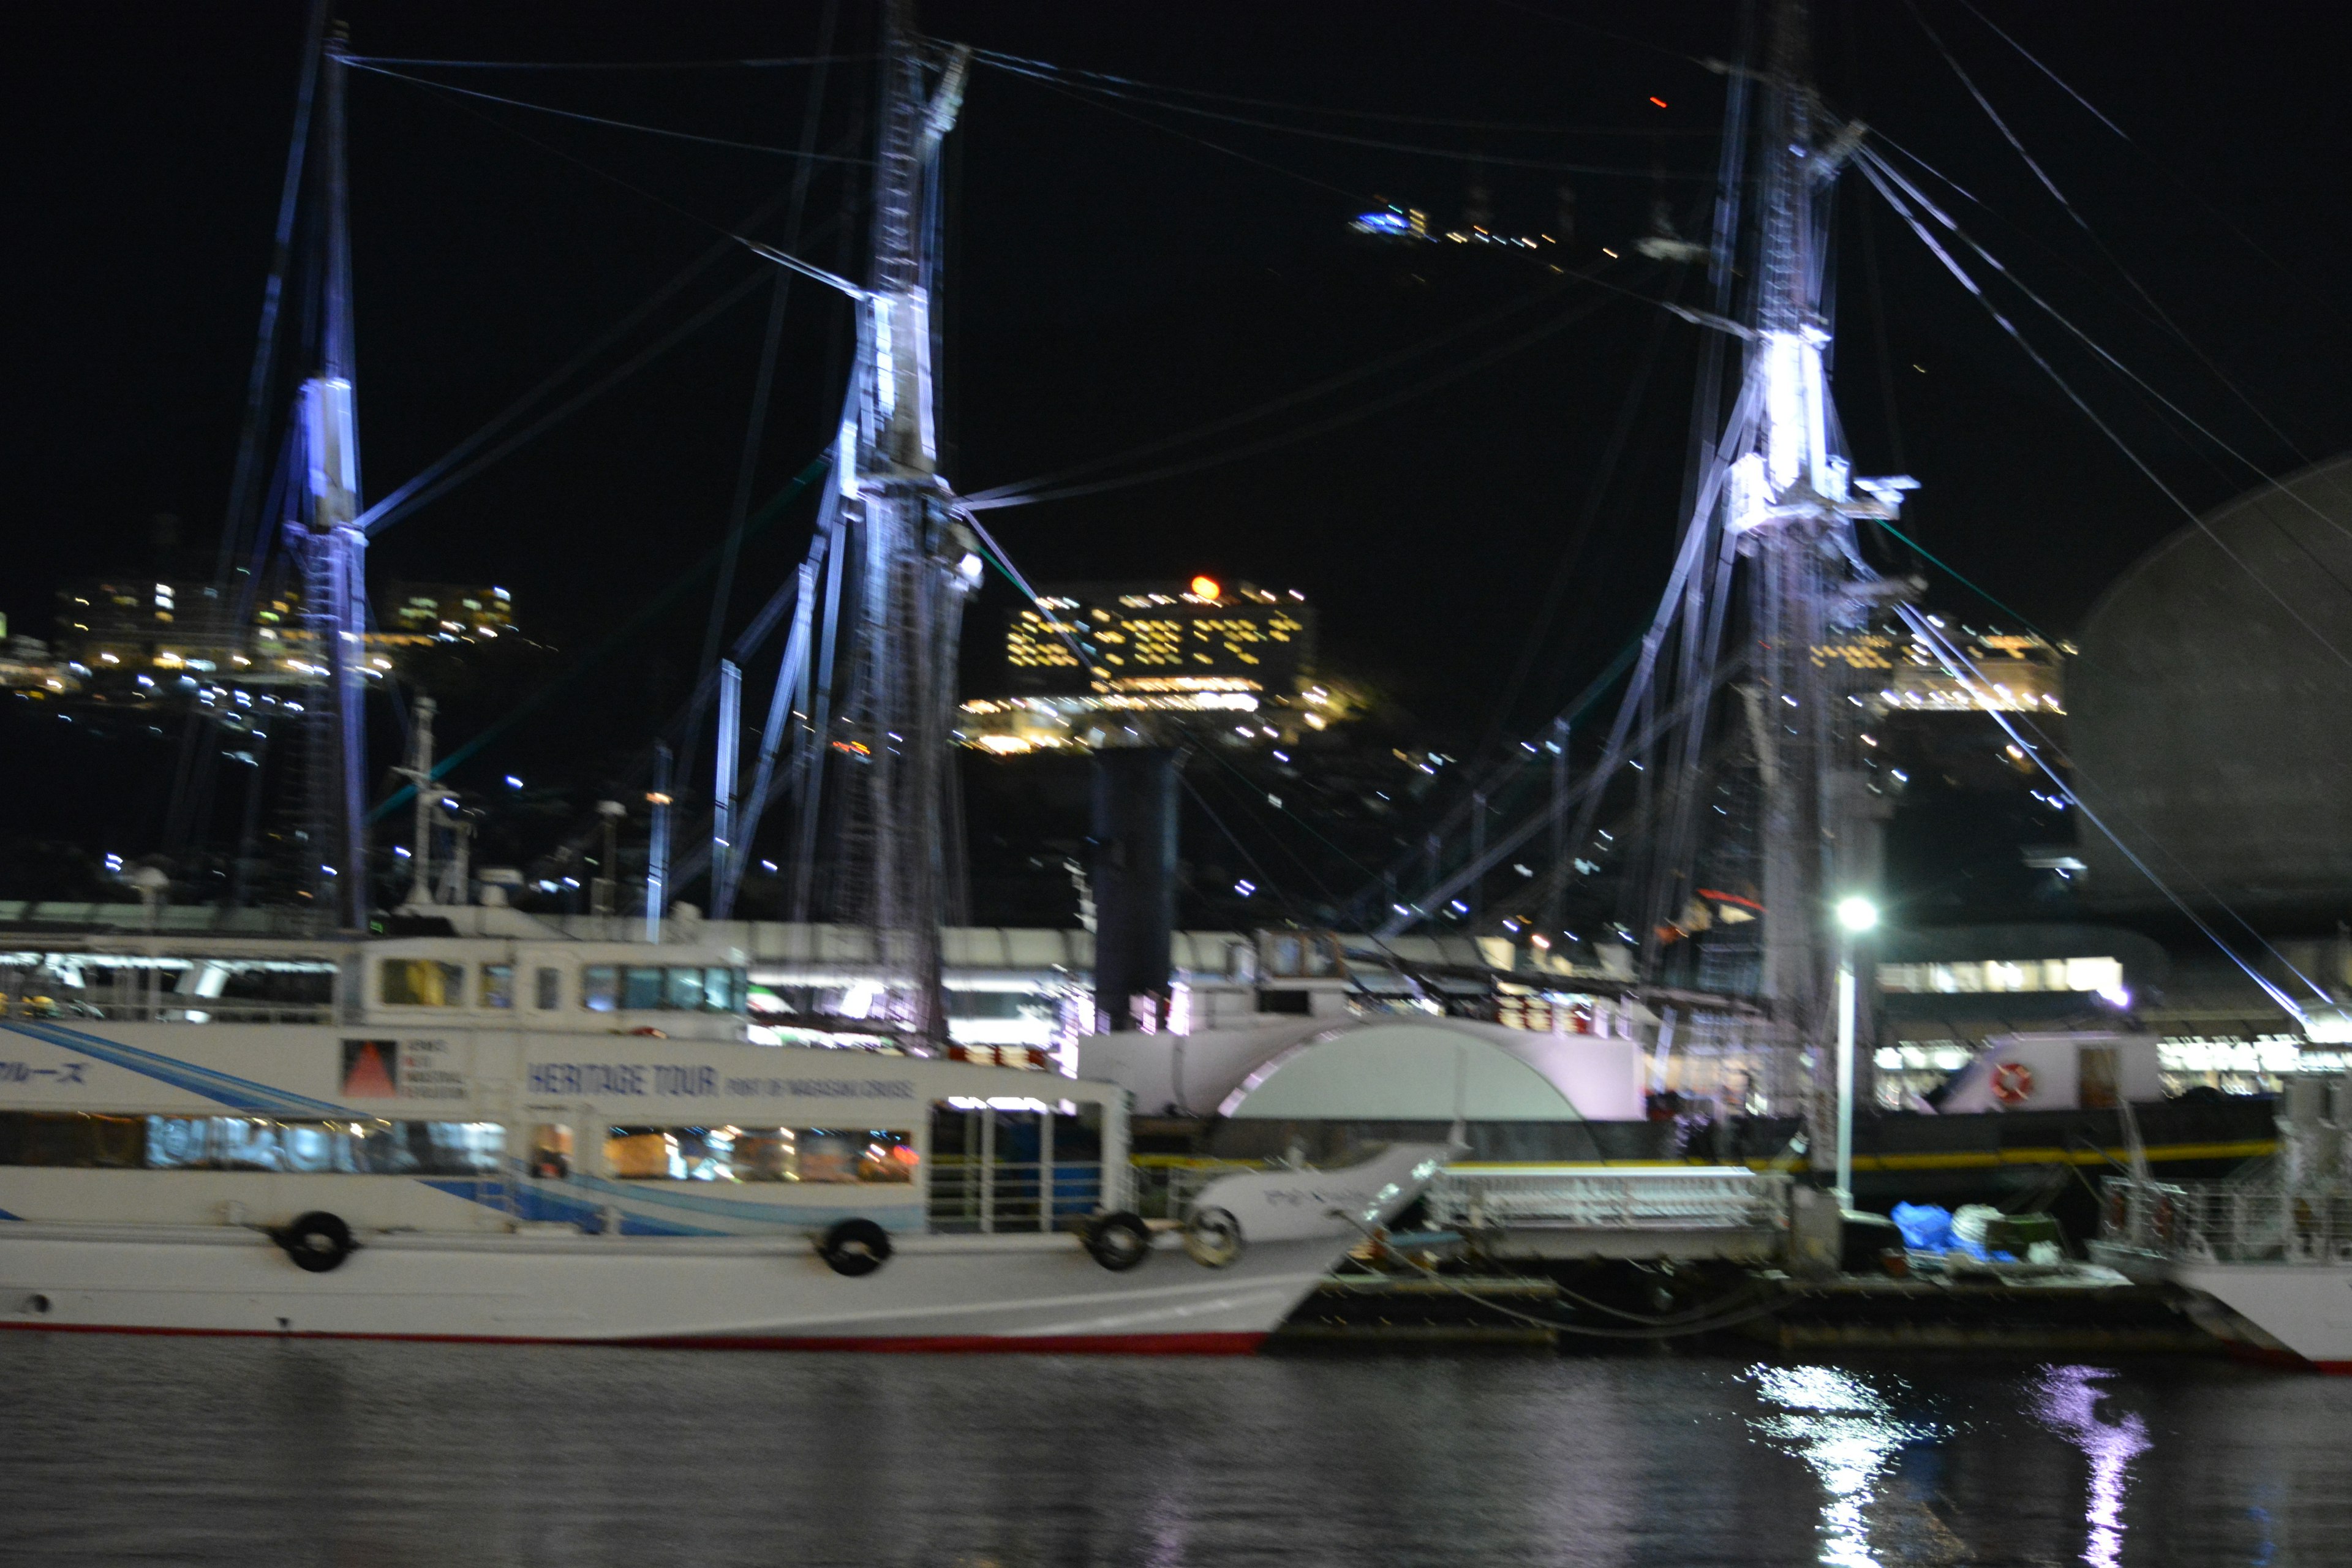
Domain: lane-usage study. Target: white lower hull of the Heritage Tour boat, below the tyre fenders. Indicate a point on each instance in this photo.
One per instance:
(935, 1292)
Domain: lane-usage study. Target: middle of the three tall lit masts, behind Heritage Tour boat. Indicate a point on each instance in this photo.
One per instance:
(893, 565)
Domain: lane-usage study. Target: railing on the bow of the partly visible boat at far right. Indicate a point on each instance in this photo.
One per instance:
(2221, 1221)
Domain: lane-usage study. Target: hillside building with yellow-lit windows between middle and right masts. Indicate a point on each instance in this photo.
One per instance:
(1109, 664)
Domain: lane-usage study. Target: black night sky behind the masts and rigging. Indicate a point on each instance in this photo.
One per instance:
(1118, 281)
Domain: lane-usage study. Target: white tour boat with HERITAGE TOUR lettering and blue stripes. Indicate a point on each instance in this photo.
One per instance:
(490, 1139)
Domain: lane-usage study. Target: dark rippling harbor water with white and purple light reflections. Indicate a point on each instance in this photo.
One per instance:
(373, 1454)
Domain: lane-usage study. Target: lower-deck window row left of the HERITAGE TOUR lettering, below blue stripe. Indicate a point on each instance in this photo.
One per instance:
(250, 1144)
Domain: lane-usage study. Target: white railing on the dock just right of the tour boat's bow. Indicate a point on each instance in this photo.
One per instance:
(1579, 1198)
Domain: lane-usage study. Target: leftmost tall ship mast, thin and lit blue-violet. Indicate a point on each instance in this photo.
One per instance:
(333, 549)
